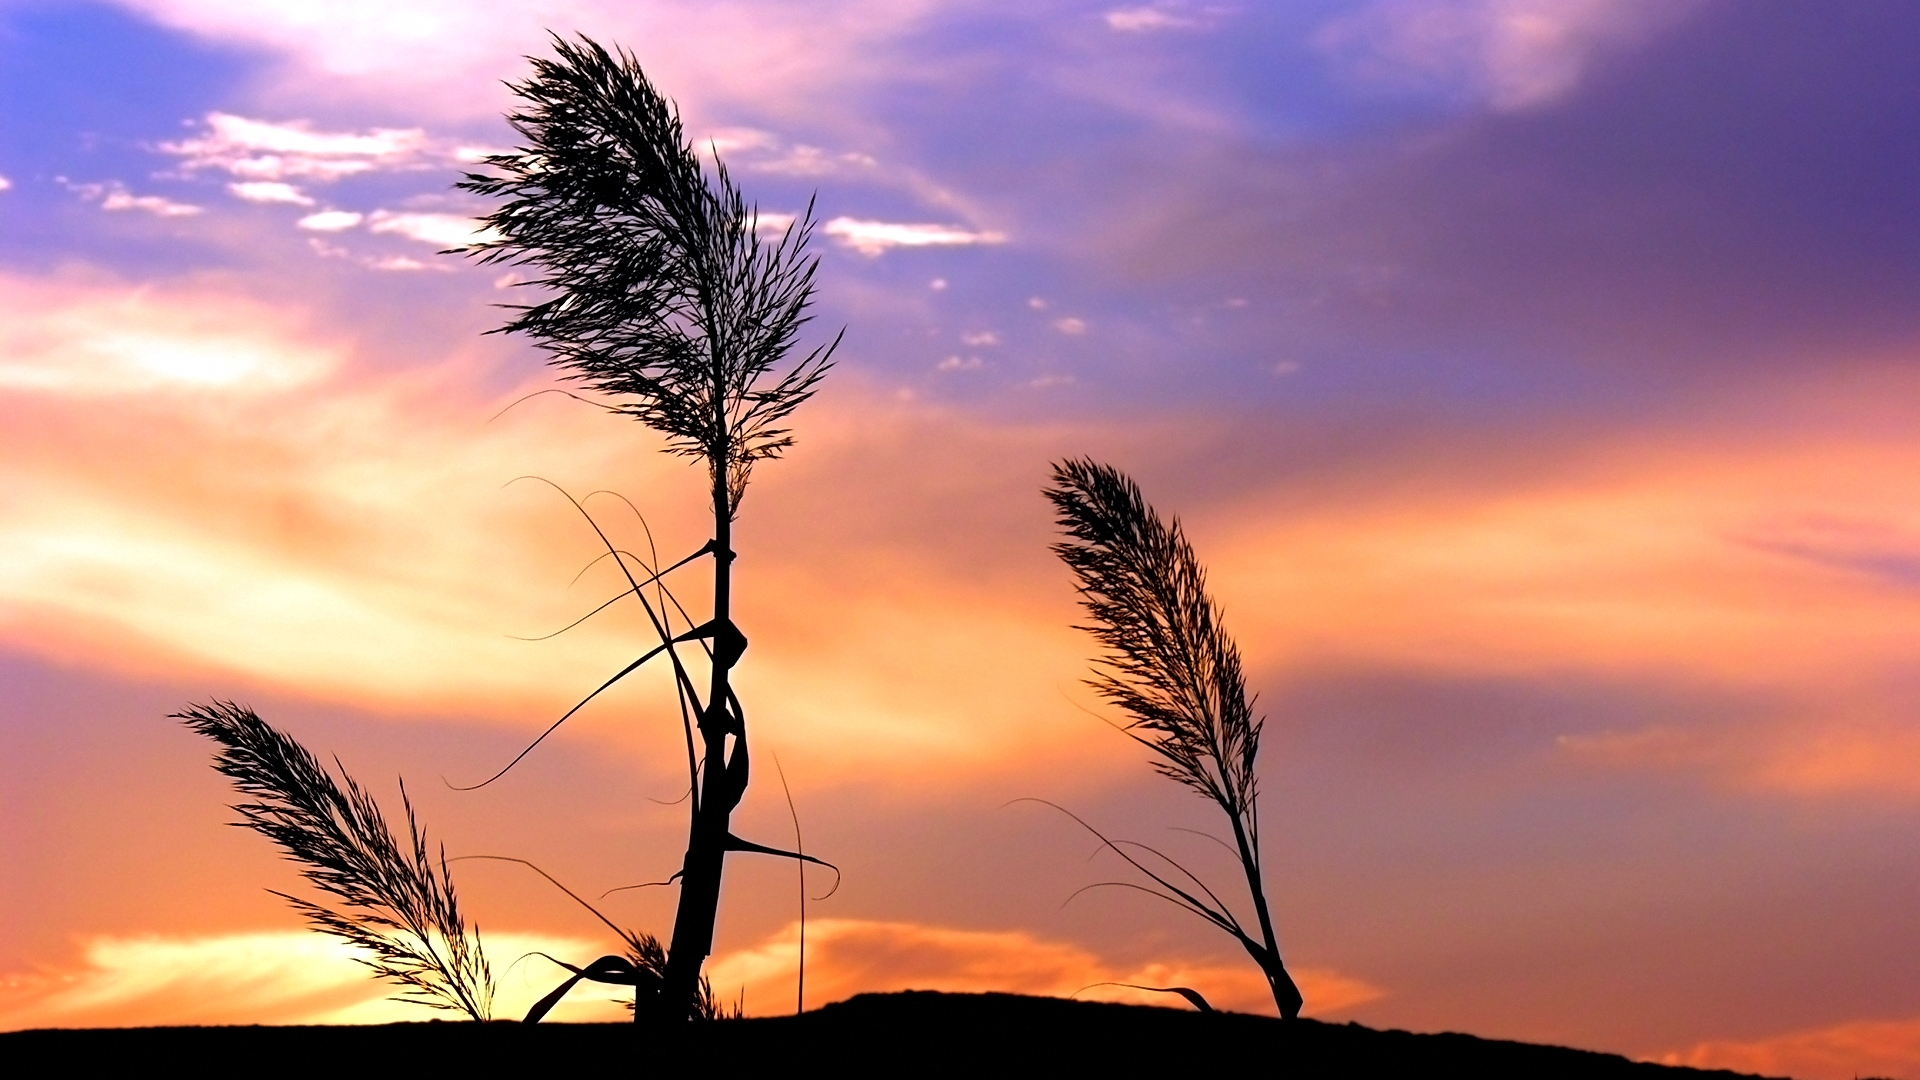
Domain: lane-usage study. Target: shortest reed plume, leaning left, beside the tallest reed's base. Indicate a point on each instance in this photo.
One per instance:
(396, 900)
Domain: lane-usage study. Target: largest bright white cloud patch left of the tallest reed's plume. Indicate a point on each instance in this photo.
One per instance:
(264, 151)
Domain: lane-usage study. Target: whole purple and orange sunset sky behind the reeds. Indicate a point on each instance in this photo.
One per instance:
(1537, 381)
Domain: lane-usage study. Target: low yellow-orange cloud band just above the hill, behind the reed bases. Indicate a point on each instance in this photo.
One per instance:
(308, 979)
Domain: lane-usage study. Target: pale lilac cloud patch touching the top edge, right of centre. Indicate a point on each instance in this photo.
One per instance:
(1510, 55)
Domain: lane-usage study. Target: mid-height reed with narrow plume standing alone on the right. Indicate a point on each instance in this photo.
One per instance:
(1172, 668)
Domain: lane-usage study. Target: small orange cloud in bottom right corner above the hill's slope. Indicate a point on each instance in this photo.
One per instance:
(1842, 1052)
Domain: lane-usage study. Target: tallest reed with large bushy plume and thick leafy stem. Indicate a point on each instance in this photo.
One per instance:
(665, 299)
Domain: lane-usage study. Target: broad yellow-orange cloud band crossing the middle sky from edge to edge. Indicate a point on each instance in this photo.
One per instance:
(297, 514)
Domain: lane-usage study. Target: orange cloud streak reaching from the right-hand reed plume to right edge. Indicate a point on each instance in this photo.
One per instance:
(1669, 560)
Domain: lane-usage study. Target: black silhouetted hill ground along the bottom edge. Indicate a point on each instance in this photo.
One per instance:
(873, 1035)
